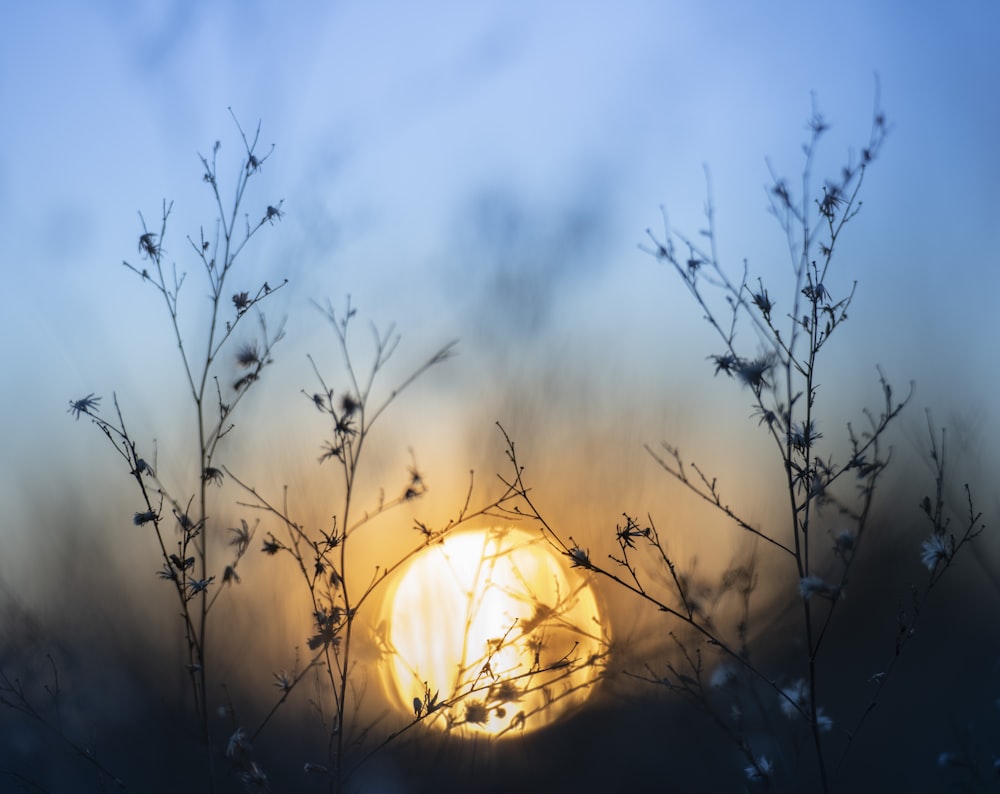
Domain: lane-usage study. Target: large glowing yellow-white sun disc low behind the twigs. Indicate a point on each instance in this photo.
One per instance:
(491, 632)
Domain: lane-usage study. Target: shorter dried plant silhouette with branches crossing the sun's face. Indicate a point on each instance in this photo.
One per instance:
(328, 574)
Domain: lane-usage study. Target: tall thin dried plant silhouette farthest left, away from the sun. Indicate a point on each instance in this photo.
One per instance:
(179, 515)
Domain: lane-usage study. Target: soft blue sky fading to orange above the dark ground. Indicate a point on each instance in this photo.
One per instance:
(484, 172)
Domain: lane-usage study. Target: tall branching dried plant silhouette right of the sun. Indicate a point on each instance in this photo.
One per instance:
(829, 501)
